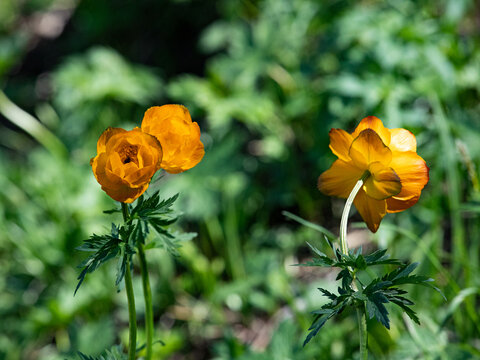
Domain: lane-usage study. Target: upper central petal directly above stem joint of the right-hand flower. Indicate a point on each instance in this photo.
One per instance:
(368, 148)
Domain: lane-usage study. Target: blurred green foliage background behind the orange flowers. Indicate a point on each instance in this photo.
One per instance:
(265, 80)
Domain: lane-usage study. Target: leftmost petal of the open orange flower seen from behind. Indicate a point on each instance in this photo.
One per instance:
(340, 179)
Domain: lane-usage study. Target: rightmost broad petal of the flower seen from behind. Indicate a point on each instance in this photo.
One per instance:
(413, 173)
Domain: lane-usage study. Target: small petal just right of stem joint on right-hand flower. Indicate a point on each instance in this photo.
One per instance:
(382, 183)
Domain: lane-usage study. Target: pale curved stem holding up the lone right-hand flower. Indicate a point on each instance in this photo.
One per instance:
(361, 316)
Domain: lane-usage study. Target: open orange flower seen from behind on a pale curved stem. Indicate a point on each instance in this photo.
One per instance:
(394, 174)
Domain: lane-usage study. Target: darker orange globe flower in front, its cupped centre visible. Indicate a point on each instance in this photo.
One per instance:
(126, 162)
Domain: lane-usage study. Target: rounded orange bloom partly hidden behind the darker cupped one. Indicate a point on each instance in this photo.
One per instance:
(178, 135)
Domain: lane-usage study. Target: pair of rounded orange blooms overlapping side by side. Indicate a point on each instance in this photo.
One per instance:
(127, 160)
